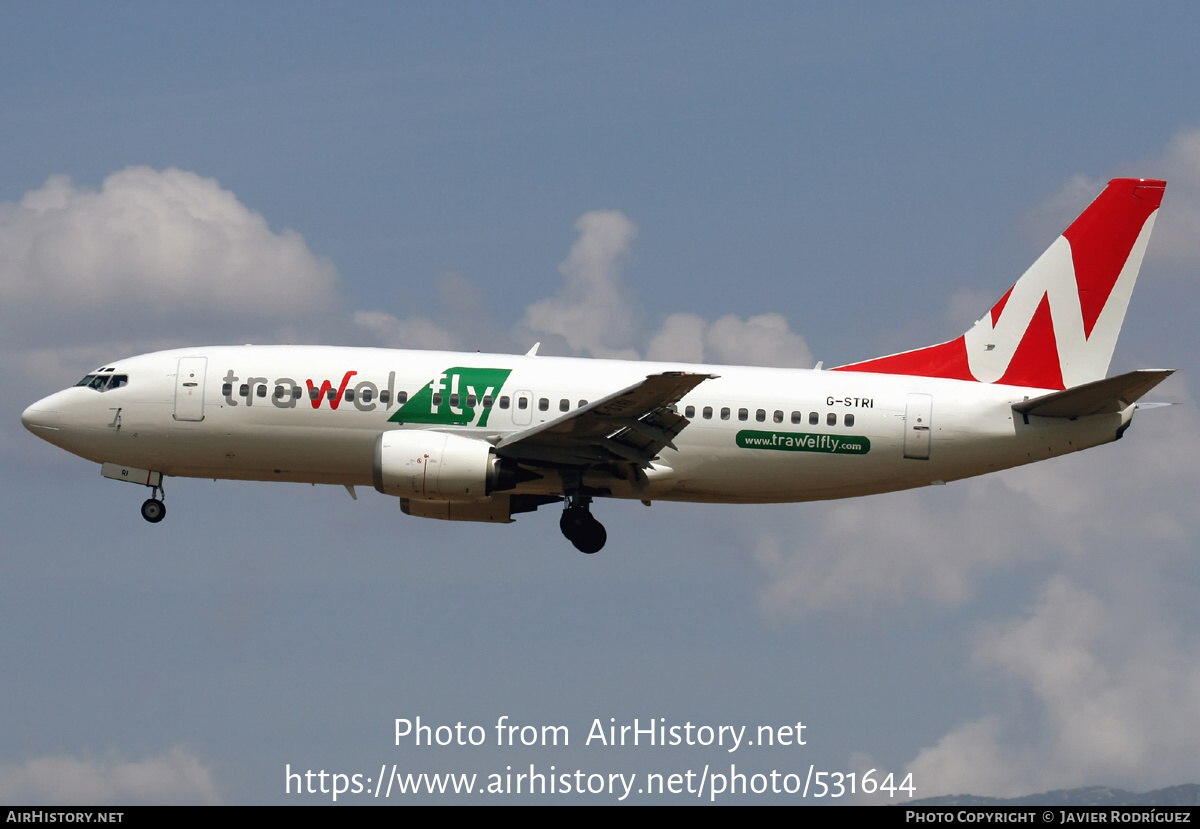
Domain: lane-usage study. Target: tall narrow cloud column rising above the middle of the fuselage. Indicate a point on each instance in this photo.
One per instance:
(592, 311)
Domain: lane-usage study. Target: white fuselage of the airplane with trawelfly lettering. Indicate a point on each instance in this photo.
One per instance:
(755, 435)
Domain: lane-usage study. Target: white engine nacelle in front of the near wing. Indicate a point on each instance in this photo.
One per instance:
(435, 466)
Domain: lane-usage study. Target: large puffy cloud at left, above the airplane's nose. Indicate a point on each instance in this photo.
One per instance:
(165, 239)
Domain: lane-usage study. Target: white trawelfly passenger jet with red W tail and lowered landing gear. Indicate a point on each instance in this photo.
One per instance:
(485, 437)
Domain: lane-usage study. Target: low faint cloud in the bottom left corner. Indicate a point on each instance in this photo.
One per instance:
(175, 778)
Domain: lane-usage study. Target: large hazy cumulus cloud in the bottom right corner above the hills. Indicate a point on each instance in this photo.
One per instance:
(1118, 700)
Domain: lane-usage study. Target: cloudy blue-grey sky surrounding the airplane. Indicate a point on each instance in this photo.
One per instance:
(873, 176)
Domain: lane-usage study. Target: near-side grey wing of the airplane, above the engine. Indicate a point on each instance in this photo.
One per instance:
(631, 426)
